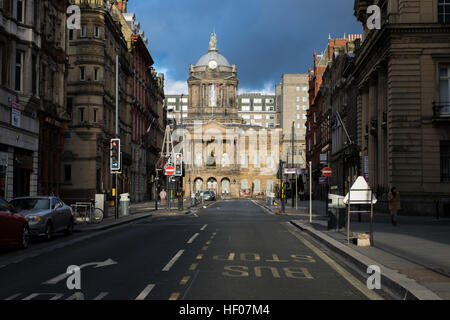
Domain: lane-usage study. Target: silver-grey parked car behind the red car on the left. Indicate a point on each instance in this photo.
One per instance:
(45, 215)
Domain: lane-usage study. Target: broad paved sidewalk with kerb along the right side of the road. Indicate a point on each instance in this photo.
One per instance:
(414, 257)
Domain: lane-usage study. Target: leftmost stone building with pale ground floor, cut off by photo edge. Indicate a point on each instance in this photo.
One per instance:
(20, 45)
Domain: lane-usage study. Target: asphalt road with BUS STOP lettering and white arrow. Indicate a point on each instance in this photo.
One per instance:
(231, 250)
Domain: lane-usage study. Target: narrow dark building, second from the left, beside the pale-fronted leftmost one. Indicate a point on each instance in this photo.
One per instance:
(53, 116)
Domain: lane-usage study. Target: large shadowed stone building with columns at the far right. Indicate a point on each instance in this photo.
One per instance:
(402, 74)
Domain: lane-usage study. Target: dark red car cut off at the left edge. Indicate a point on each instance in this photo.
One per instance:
(14, 228)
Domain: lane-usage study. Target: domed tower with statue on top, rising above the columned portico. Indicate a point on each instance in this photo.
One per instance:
(213, 86)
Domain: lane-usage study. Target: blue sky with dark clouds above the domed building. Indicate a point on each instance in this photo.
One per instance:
(263, 38)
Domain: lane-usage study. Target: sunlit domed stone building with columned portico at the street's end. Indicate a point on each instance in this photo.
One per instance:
(222, 152)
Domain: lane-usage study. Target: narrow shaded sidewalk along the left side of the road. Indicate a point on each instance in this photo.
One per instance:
(138, 211)
